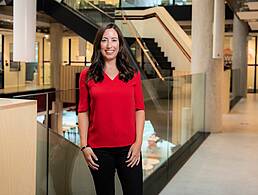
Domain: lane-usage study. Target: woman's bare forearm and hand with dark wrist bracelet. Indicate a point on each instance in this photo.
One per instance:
(83, 121)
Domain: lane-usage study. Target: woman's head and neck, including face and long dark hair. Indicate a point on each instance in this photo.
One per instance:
(109, 54)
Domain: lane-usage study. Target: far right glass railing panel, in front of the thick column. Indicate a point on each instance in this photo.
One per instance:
(187, 101)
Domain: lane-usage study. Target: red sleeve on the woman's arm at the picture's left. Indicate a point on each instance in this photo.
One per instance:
(83, 92)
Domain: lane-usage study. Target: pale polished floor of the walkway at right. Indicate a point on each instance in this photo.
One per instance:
(226, 163)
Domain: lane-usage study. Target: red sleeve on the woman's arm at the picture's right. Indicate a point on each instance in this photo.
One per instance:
(138, 94)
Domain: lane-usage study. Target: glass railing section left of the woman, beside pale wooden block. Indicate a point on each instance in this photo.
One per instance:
(61, 167)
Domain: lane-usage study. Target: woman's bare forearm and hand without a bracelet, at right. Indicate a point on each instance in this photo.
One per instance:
(134, 153)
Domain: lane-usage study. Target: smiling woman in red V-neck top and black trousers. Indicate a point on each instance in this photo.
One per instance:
(111, 115)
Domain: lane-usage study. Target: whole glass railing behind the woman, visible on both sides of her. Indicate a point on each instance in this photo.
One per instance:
(174, 113)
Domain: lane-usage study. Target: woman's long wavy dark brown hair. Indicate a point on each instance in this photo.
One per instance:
(95, 72)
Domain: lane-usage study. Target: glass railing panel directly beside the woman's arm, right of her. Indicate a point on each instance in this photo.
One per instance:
(155, 140)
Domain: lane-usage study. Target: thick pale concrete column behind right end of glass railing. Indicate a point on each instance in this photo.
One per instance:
(202, 62)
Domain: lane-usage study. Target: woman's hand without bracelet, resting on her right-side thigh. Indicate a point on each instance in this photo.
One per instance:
(134, 155)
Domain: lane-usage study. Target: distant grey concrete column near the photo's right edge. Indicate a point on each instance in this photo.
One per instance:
(239, 57)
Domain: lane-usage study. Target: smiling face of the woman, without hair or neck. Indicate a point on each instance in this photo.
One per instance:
(109, 45)
